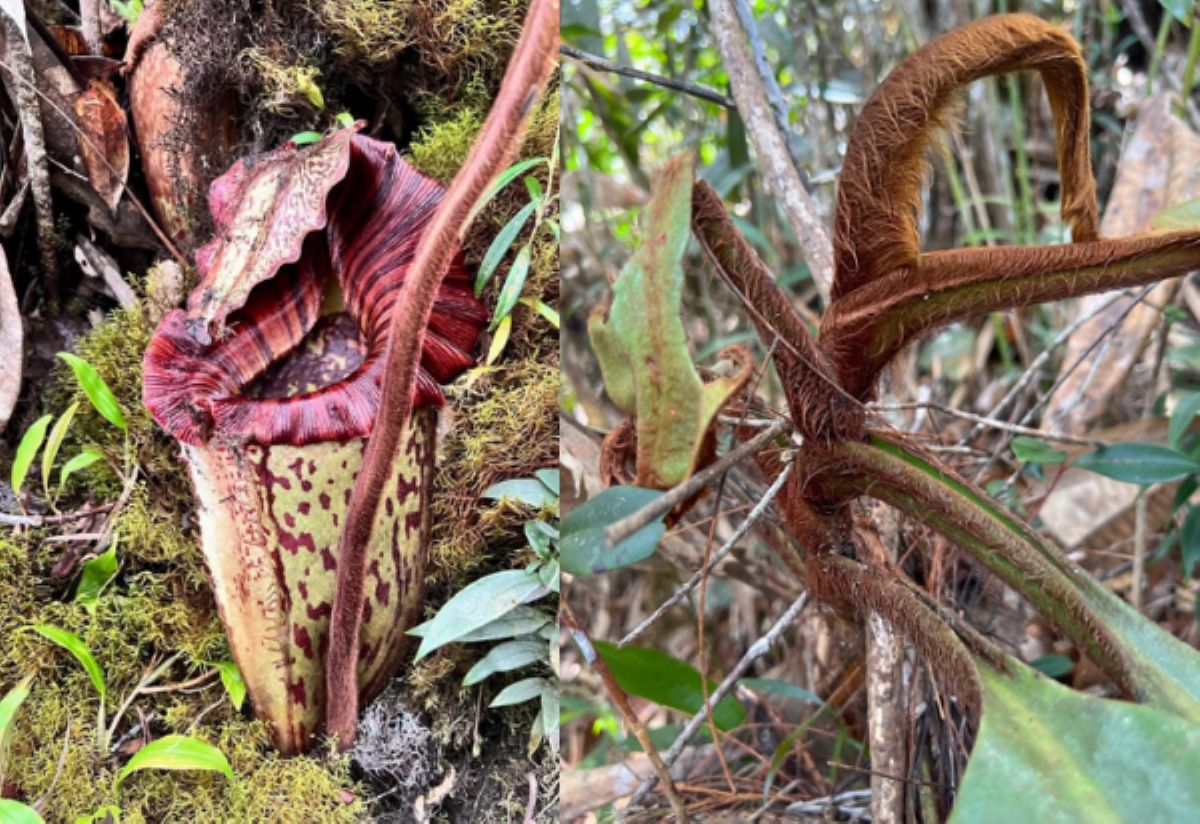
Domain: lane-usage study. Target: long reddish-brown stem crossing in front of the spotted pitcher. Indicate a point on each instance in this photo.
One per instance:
(530, 70)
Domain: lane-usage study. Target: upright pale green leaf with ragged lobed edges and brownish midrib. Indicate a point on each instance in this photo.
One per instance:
(643, 347)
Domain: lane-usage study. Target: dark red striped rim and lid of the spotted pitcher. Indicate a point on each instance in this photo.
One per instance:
(349, 208)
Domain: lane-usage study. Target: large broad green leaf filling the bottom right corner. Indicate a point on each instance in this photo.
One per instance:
(1048, 754)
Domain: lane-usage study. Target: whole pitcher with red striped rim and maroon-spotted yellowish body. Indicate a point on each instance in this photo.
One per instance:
(271, 380)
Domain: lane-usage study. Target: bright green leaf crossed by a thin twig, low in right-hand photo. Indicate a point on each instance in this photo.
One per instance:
(665, 681)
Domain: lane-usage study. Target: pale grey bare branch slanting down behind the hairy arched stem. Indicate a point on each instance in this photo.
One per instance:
(771, 147)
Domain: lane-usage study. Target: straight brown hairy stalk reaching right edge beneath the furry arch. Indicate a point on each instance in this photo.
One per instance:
(863, 332)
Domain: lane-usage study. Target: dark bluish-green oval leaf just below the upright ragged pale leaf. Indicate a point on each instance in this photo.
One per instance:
(584, 551)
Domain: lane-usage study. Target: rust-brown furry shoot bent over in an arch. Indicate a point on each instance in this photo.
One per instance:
(879, 191)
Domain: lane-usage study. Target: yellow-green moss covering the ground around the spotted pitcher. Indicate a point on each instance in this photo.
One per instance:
(449, 57)
